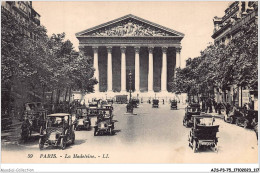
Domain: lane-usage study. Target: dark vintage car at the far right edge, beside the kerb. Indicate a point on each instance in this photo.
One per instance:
(249, 118)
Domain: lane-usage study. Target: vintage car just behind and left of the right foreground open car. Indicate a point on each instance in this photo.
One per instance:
(192, 109)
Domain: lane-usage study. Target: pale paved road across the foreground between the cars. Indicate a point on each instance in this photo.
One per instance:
(152, 136)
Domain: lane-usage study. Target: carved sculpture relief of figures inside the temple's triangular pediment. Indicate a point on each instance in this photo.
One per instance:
(130, 29)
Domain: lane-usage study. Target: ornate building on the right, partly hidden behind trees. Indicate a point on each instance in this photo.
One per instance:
(227, 27)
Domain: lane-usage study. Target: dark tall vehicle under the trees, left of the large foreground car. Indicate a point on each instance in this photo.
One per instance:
(34, 118)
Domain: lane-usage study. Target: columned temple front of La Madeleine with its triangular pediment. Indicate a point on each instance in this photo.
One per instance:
(150, 51)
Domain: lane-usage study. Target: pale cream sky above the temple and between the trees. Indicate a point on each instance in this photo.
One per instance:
(193, 18)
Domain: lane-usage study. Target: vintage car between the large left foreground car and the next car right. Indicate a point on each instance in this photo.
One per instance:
(82, 119)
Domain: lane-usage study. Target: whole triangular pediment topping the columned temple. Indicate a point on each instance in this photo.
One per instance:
(129, 26)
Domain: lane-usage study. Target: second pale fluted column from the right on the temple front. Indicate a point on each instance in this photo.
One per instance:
(164, 70)
